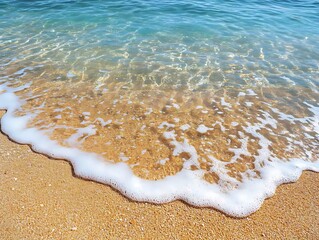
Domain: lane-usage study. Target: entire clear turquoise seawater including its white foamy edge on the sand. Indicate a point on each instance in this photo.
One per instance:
(212, 102)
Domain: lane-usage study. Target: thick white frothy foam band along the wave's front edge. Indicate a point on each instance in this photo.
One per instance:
(186, 184)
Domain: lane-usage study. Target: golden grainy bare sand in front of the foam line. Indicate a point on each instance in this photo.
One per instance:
(41, 199)
